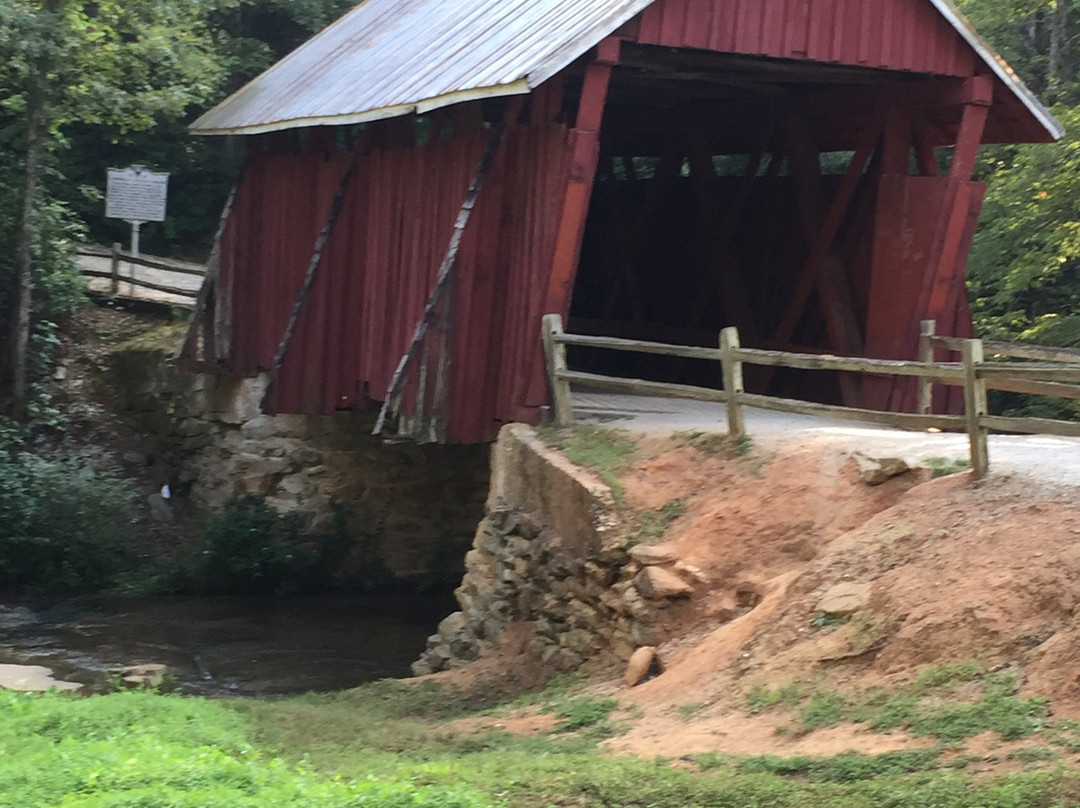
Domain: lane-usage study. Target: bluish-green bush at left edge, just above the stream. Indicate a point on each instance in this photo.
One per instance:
(64, 522)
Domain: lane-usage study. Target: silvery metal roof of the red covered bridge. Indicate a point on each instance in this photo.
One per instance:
(393, 58)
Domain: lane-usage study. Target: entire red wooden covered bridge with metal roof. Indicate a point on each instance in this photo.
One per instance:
(426, 179)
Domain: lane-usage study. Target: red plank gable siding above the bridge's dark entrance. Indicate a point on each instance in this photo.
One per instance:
(895, 35)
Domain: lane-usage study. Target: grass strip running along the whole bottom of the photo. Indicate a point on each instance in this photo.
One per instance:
(382, 747)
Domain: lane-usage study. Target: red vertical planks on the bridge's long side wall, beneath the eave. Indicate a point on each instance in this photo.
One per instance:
(381, 264)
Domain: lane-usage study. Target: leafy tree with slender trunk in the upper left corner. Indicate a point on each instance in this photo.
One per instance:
(127, 64)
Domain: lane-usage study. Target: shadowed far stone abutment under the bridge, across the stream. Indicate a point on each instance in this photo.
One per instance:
(411, 510)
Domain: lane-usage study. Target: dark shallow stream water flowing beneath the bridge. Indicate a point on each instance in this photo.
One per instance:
(235, 647)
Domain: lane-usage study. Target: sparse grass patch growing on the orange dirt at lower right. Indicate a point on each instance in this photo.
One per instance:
(931, 707)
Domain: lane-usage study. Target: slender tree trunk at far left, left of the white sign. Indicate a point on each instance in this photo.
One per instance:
(24, 254)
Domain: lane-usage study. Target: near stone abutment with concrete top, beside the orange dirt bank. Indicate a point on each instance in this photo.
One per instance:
(552, 557)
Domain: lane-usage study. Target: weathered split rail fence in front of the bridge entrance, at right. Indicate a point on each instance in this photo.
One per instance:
(1055, 372)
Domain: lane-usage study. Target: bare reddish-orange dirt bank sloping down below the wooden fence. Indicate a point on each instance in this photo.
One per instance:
(956, 572)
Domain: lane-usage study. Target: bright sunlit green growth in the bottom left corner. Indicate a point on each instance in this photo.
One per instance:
(141, 749)
